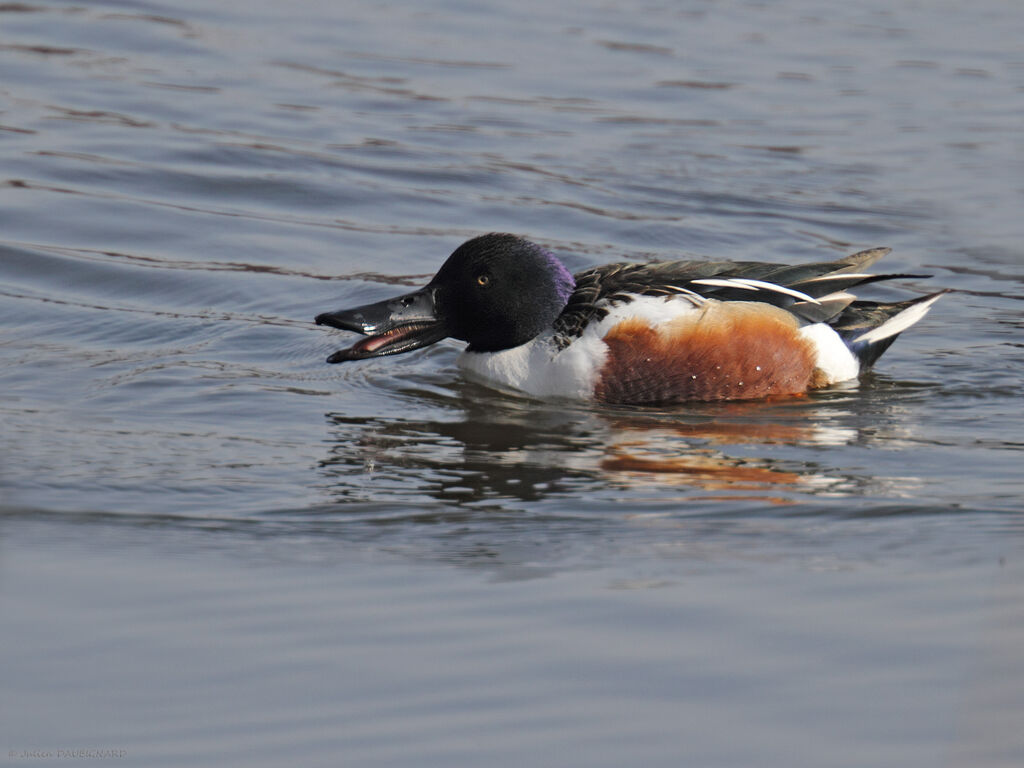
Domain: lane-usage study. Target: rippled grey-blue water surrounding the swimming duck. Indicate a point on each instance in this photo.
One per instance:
(218, 549)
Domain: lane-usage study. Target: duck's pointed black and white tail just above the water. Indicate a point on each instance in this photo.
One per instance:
(870, 328)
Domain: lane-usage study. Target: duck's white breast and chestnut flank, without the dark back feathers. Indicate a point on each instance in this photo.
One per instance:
(652, 351)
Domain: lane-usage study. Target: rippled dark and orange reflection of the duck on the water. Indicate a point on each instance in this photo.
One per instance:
(505, 449)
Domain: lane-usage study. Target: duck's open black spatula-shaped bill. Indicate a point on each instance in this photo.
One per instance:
(392, 327)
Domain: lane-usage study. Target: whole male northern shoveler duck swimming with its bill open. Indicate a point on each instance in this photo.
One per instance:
(639, 333)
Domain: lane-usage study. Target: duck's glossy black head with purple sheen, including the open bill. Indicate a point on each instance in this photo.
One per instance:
(496, 292)
